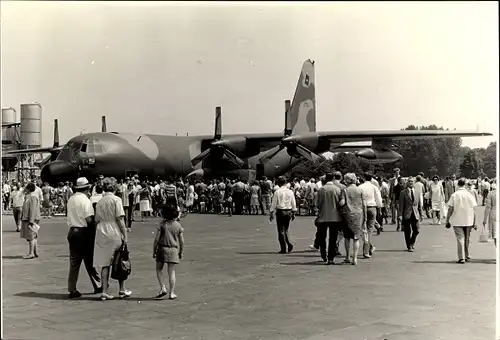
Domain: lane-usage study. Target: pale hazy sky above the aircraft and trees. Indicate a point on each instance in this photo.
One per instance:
(163, 67)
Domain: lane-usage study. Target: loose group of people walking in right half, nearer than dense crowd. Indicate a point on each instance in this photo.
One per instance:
(353, 207)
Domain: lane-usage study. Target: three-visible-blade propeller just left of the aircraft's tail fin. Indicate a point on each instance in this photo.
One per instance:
(291, 143)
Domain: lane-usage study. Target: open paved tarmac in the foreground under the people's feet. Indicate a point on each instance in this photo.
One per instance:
(233, 285)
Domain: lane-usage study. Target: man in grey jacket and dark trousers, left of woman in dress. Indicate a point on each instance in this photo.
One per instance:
(329, 218)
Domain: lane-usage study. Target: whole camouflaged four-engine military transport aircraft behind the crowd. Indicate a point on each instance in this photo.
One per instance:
(120, 154)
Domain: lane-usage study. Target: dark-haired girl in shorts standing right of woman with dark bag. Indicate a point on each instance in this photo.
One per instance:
(168, 247)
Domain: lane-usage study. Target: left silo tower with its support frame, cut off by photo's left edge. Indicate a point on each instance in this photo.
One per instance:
(11, 140)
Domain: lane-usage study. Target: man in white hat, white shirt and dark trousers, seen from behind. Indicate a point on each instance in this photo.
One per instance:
(81, 235)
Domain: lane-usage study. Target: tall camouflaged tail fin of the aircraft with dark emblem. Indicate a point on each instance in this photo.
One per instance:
(303, 111)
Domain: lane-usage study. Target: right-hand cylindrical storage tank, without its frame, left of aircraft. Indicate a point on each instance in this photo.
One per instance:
(31, 125)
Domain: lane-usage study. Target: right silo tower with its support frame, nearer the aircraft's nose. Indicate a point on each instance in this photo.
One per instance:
(31, 137)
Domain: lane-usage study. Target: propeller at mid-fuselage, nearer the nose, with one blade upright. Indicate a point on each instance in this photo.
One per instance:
(218, 147)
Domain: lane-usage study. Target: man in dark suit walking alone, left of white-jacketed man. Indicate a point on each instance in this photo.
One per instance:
(410, 212)
